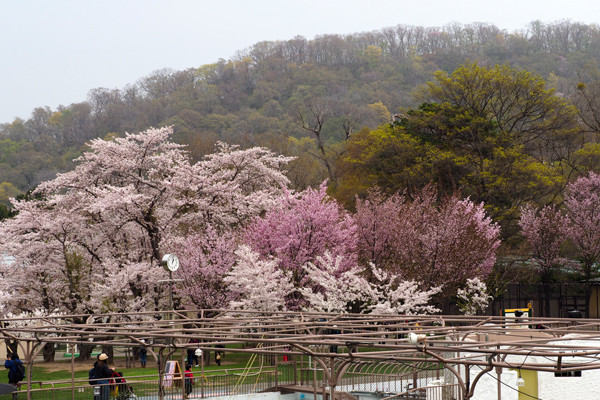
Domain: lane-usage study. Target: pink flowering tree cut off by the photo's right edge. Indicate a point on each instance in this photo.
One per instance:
(582, 201)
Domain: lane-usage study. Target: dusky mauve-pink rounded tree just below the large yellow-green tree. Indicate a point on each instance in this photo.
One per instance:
(447, 243)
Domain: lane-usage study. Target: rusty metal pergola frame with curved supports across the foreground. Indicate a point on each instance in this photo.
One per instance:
(451, 340)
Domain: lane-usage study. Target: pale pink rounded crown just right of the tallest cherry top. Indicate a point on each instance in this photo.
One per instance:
(229, 188)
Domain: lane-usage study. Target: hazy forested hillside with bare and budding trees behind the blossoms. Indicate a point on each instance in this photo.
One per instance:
(307, 98)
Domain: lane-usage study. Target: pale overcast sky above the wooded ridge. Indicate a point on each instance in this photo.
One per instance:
(54, 51)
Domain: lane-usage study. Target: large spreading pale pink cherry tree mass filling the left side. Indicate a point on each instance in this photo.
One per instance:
(91, 240)
